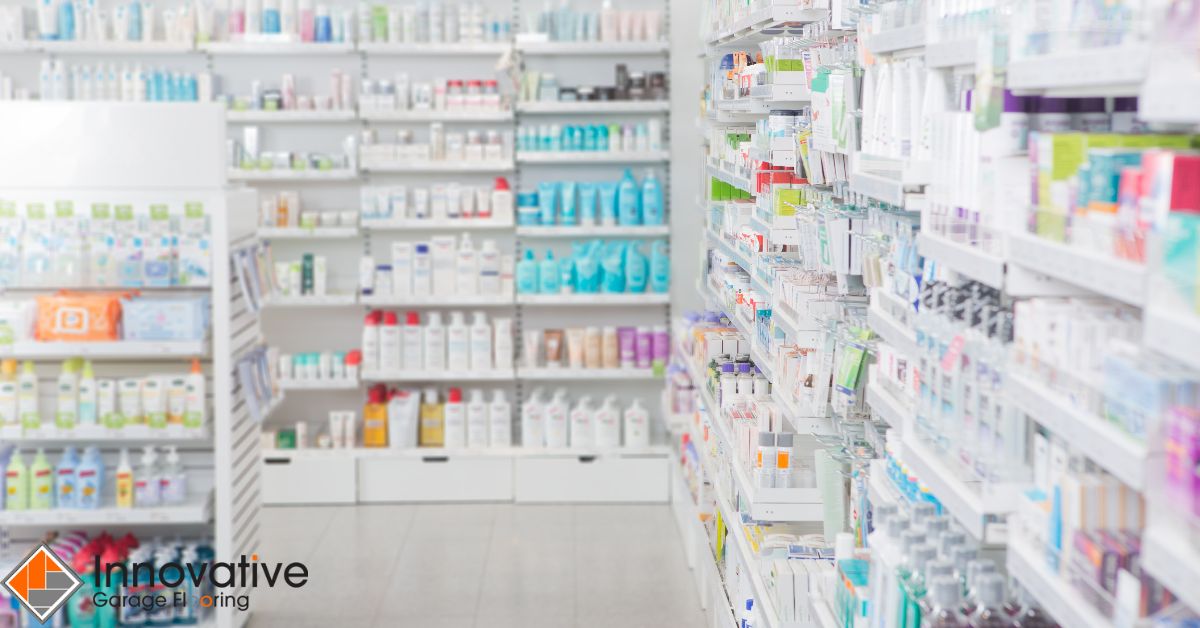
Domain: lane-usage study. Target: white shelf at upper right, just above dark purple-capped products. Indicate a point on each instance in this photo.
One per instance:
(1108, 71)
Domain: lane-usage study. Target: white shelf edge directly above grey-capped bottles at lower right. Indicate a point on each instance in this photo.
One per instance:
(971, 504)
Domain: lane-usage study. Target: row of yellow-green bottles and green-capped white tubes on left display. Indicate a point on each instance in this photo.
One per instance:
(81, 399)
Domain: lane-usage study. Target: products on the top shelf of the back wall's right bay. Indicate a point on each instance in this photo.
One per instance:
(572, 23)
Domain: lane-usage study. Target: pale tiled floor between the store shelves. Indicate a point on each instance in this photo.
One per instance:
(479, 566)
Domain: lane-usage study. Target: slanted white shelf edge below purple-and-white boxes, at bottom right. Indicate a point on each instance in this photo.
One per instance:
(1053, 593)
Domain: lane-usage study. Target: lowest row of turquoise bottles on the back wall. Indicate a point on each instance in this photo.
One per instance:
(597, 267)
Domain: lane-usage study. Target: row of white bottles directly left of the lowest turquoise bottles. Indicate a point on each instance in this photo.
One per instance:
(440, 268)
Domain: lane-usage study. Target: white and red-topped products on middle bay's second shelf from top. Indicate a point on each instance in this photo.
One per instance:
(478, 95)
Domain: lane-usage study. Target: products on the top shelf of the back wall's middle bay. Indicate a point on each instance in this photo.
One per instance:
(431, 23)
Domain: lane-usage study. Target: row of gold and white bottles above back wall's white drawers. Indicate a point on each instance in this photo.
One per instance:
(404, 420)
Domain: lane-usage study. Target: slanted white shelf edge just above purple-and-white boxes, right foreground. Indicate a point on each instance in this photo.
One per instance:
(1095, 436)
